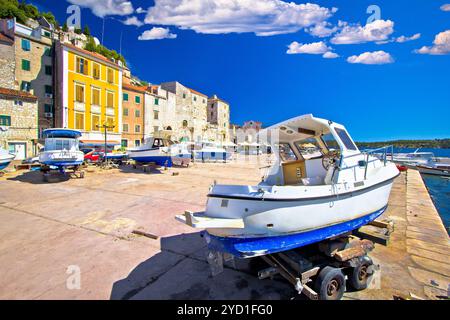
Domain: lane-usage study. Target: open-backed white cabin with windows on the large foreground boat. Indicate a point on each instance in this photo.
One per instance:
(307, 149)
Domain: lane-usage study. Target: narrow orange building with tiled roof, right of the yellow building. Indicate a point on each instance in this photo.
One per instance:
(133, 98)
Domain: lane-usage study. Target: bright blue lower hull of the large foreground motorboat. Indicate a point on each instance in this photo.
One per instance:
(256, 246)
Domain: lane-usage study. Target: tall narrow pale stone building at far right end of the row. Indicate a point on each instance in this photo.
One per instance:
(218, 113)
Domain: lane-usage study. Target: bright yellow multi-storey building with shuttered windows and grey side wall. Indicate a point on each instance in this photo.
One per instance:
(88, 94)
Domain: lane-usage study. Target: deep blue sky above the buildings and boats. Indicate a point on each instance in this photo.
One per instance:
(389, 91)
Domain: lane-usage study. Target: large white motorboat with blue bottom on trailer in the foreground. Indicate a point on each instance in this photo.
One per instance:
(302, 199)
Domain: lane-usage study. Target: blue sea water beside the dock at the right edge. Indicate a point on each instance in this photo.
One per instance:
(438, 187)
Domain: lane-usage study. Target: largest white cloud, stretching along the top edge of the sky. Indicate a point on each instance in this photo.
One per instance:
(262, 17)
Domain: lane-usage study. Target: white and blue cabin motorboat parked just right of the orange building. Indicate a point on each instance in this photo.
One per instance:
(161, 151)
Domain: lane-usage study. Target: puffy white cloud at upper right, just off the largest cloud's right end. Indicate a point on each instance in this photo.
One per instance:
(378, 30)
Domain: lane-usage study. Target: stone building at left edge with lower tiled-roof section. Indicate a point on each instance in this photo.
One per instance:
(18, 110)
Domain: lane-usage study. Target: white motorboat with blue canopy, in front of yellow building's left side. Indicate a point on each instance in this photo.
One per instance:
(61, 148)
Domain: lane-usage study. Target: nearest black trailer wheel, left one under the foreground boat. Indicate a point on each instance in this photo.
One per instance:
(330, 284)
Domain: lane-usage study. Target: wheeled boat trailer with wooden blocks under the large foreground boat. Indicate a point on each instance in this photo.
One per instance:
(322, 270)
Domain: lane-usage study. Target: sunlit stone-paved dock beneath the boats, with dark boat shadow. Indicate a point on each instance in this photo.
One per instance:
(95, 230)
